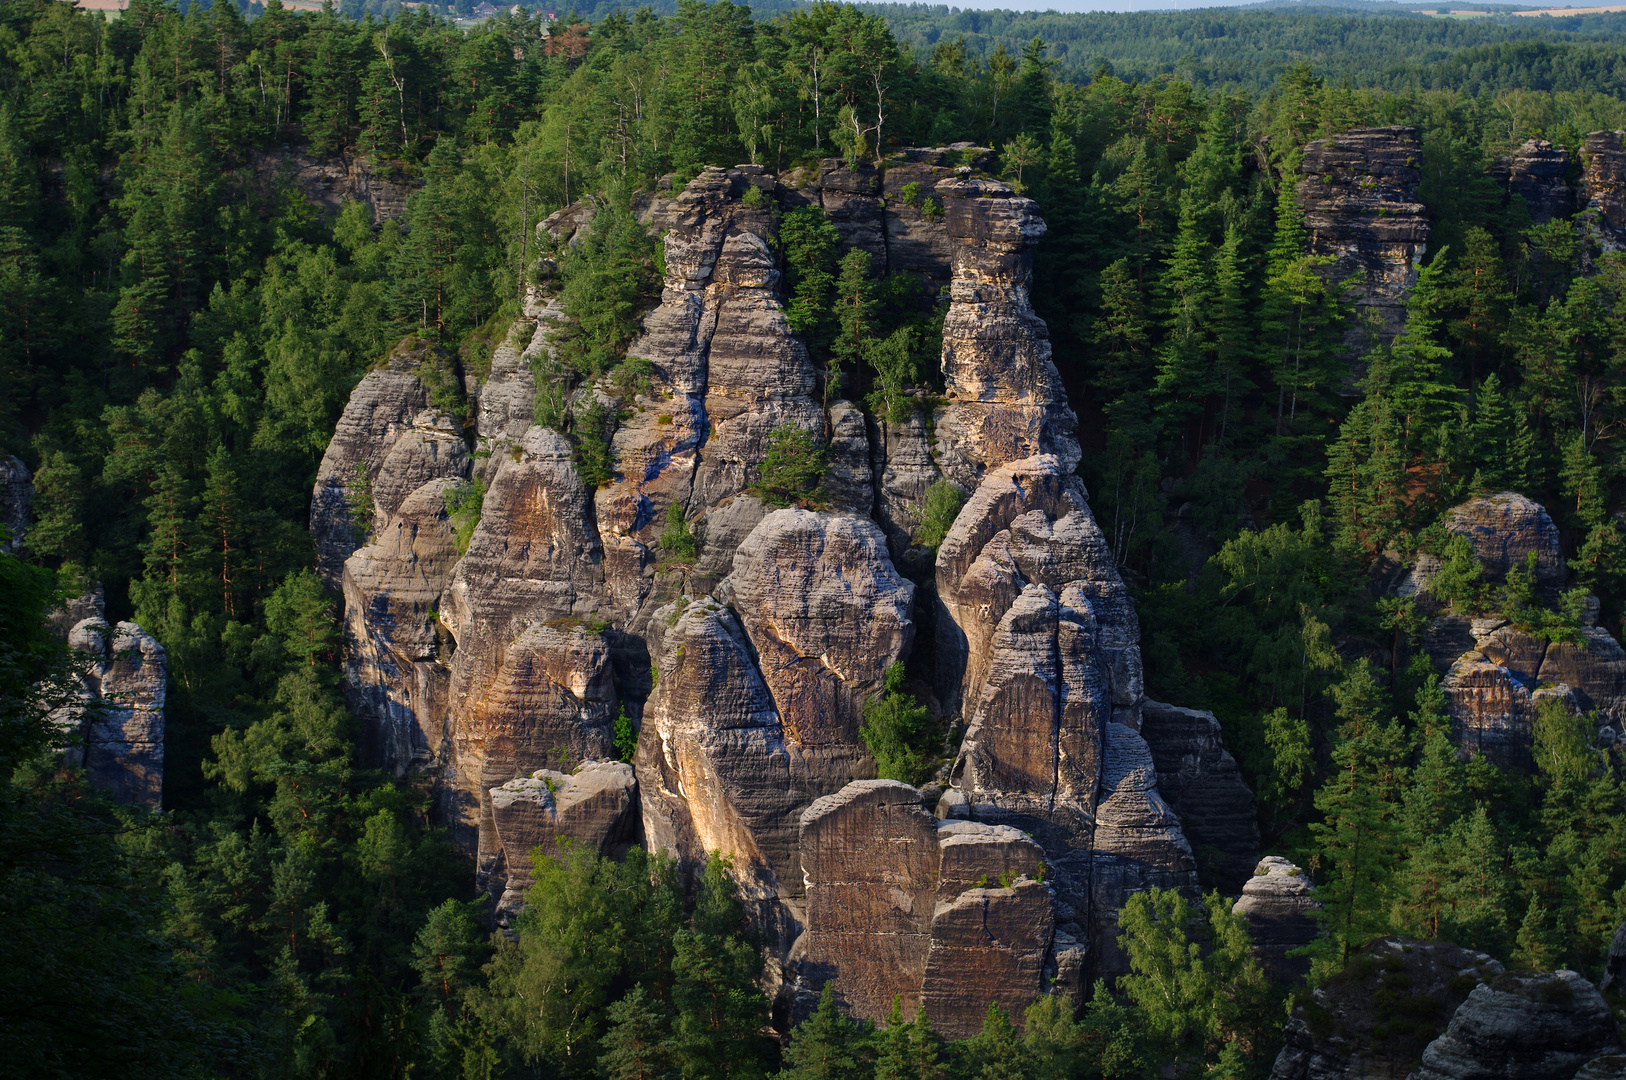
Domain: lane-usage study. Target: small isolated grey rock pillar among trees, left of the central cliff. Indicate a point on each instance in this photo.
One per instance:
(123, 726)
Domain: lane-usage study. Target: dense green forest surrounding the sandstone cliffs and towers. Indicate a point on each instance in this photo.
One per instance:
(183, 326)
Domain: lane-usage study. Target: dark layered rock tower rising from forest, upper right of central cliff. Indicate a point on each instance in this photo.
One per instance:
(1359, 193)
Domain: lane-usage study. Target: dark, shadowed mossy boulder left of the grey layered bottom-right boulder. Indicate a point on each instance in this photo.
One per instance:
(1376, 1017)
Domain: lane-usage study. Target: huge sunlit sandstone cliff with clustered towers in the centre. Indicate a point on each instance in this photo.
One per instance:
(505, 673)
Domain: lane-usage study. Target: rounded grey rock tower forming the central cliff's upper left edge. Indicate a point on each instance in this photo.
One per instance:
(381, 411)
